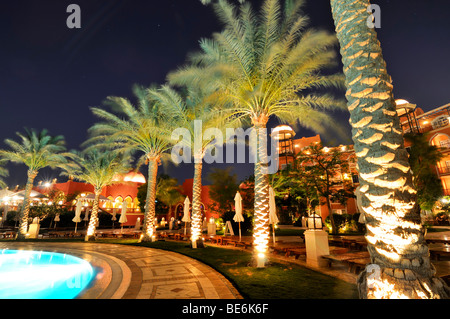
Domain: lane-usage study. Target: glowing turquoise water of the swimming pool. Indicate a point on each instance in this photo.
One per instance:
(26, 274)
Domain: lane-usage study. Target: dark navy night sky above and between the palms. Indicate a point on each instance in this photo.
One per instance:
(50, 75)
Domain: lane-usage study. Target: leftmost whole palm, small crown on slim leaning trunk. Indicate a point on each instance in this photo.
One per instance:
(36, 151)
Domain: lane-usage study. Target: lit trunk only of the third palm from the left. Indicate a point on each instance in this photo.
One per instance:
(149, 227)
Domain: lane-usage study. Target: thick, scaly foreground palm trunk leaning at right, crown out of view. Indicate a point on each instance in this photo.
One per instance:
(399, 254)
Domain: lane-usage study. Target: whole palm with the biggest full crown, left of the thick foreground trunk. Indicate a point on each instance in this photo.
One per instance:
(266, 65)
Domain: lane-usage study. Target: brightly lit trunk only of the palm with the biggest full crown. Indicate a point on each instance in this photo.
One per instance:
(261, 230)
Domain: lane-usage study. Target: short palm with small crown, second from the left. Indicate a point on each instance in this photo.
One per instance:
(99, 168)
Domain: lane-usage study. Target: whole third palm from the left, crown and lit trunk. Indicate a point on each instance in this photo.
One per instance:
(136, 128)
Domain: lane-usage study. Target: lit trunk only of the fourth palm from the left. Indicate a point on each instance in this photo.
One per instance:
(196, 218)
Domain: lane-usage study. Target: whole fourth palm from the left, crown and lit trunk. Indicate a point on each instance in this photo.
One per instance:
(192, 112)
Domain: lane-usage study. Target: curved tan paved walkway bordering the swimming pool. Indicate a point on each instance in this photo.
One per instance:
(130, 272)
